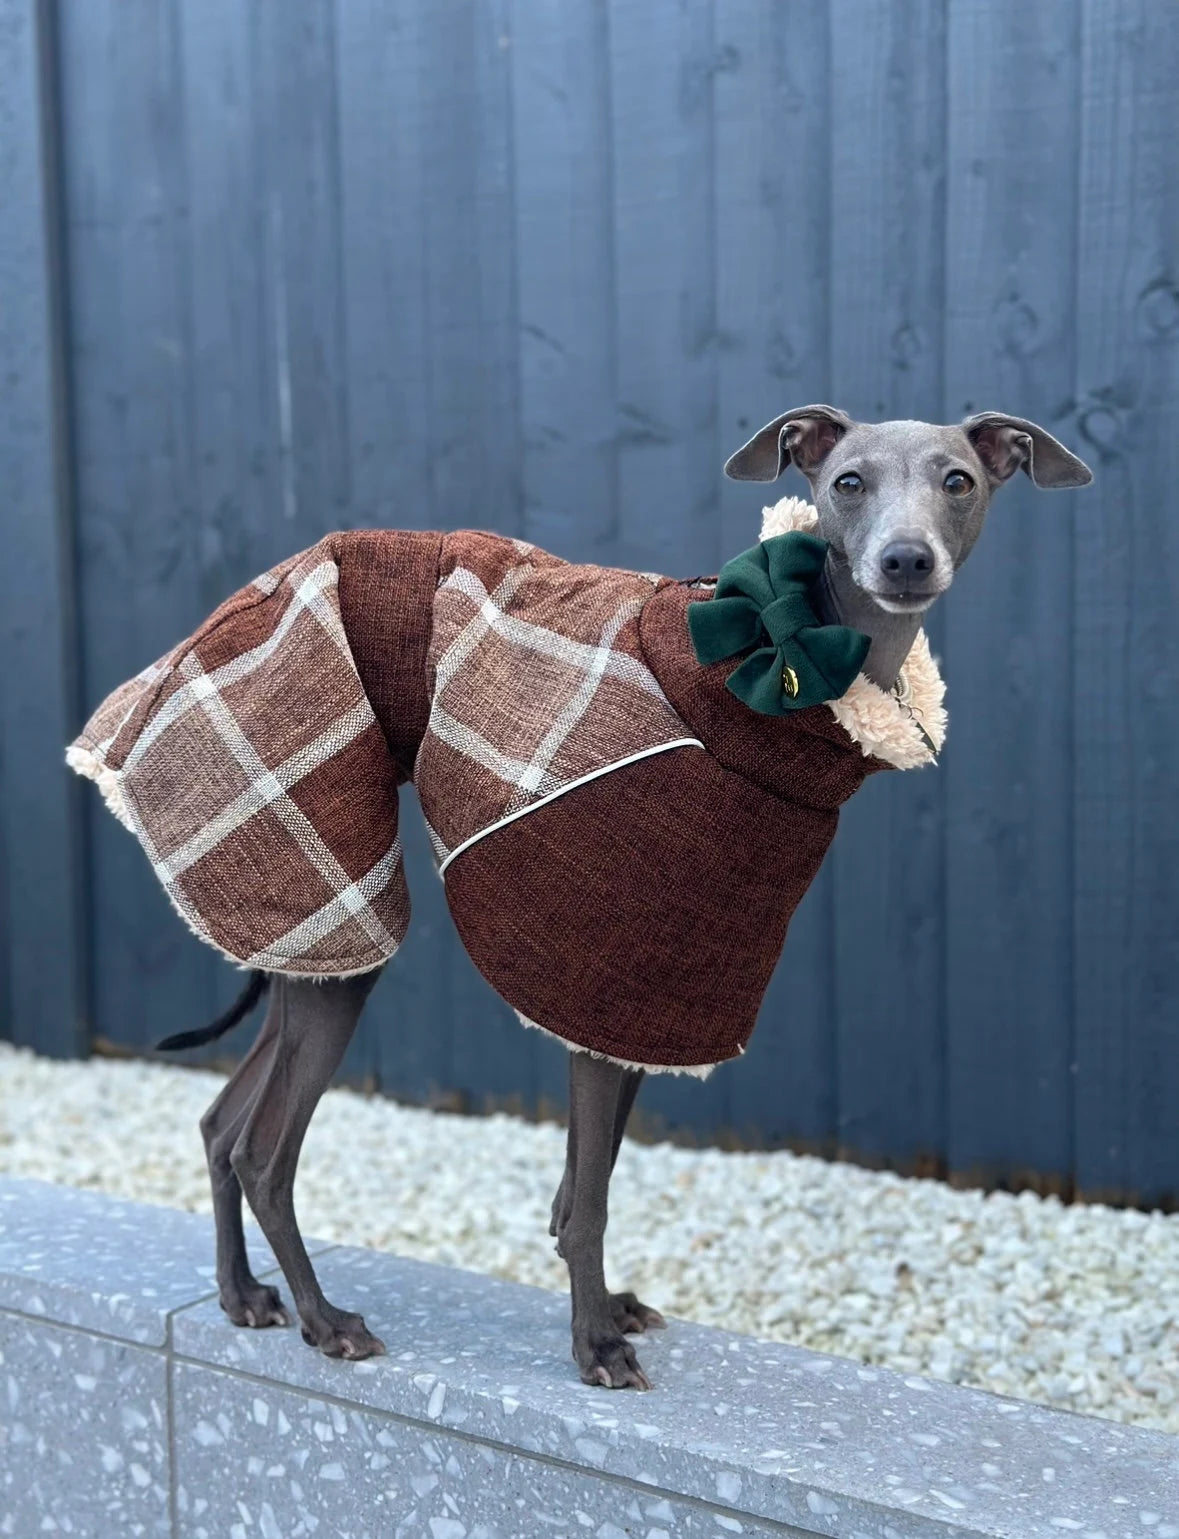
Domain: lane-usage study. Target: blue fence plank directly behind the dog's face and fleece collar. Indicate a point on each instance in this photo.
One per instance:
(887, 305)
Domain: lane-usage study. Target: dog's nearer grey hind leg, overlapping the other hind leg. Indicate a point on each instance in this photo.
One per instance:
(315, 1026)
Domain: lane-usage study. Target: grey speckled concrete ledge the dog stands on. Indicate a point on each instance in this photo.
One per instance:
(132, 1406)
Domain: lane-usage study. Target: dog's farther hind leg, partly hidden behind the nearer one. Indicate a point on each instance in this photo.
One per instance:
(244, 1298)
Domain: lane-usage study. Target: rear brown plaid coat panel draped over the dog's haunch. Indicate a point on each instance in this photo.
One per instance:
(253, 772)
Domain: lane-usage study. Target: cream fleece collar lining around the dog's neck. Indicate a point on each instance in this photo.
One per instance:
(884, 724)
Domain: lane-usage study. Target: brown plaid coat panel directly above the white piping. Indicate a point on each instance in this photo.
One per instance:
(538, 681)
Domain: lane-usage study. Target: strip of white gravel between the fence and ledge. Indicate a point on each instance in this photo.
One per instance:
(1070, 1306)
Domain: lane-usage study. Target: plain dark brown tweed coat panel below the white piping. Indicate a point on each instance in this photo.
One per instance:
(666, 924)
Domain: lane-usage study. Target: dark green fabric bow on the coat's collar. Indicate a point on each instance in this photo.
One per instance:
(763, 601)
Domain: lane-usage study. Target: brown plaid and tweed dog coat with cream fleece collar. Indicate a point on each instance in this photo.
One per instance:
(623, 841)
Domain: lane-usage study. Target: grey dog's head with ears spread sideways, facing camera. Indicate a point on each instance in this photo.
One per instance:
(903, 502)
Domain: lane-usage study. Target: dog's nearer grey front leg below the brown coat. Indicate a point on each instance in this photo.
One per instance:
(598, 1093)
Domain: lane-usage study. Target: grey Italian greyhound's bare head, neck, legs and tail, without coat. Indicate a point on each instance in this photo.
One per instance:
(901, 506)
